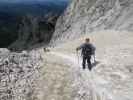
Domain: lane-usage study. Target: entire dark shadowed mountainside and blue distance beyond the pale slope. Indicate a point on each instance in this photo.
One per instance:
(36, 18)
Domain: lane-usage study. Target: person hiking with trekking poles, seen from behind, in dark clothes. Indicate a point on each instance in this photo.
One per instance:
(87, 51)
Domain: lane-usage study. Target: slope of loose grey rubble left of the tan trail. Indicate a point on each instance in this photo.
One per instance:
(18, 74)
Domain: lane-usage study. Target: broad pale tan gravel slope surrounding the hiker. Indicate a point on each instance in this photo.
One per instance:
(111, 79)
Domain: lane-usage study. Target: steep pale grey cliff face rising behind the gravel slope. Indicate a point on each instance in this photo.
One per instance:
(84, 16)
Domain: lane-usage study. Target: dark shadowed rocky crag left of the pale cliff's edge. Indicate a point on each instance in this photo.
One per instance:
(34, 31)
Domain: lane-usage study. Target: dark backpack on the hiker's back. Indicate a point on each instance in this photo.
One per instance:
(87, 50)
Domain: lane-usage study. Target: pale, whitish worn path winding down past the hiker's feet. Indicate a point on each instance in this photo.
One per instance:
(86, 82)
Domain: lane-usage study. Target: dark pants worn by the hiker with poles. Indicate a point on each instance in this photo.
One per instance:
(88, 59)
